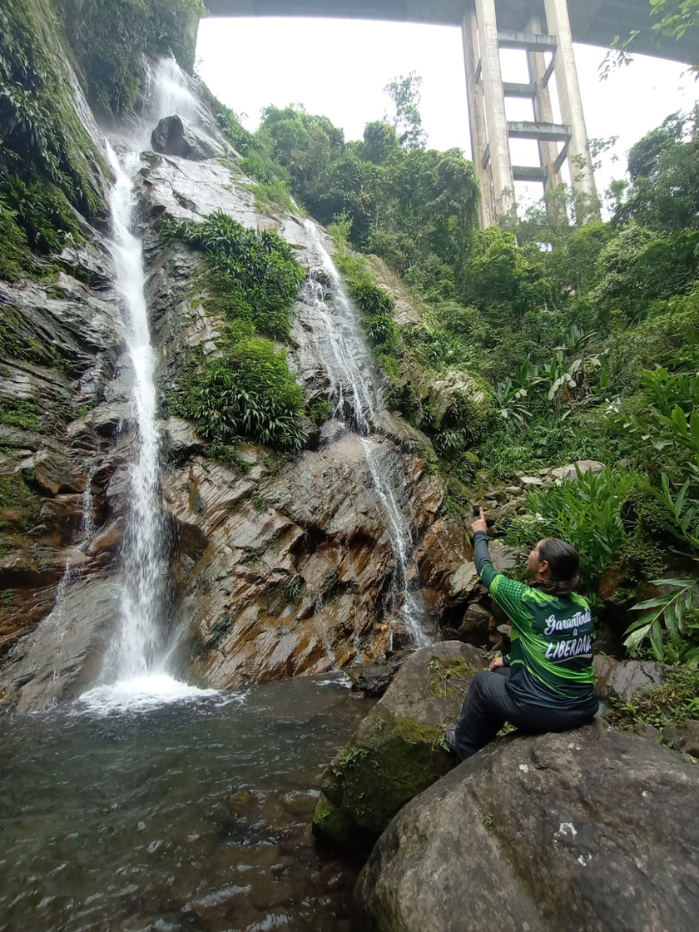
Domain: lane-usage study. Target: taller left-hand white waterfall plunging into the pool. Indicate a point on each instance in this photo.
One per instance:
(135, 660)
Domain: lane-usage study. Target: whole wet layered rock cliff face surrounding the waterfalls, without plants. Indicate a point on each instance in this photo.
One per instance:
(278, 565)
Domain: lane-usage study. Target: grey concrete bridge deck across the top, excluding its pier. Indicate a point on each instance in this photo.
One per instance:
(593, 22)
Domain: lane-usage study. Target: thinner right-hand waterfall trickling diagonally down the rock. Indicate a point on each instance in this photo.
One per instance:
(349, 370)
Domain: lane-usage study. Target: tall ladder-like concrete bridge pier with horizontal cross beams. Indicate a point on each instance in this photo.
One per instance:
(490, 130)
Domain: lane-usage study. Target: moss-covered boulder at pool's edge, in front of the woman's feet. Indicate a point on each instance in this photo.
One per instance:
(398, 750)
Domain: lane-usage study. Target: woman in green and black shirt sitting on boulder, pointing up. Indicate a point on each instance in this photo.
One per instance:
(546, 682)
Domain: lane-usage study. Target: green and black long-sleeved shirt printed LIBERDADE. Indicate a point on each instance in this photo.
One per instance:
(551, 655)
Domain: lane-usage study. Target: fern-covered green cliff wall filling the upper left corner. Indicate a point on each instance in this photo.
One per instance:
(47, 160)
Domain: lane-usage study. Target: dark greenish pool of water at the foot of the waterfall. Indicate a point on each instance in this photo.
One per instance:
(193, 816)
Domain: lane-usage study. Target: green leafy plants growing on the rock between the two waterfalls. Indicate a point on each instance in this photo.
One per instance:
(251, 281)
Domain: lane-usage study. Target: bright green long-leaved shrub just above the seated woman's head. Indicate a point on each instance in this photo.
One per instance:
(585, 512)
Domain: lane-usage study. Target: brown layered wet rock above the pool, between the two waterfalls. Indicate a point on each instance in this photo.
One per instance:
(286, 573)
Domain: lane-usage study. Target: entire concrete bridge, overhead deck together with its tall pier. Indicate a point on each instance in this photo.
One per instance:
(543, 29)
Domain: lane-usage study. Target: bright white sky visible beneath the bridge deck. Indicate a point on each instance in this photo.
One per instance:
(339, 68)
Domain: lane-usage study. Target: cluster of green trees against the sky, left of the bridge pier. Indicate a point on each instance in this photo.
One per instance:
(413, 206)
